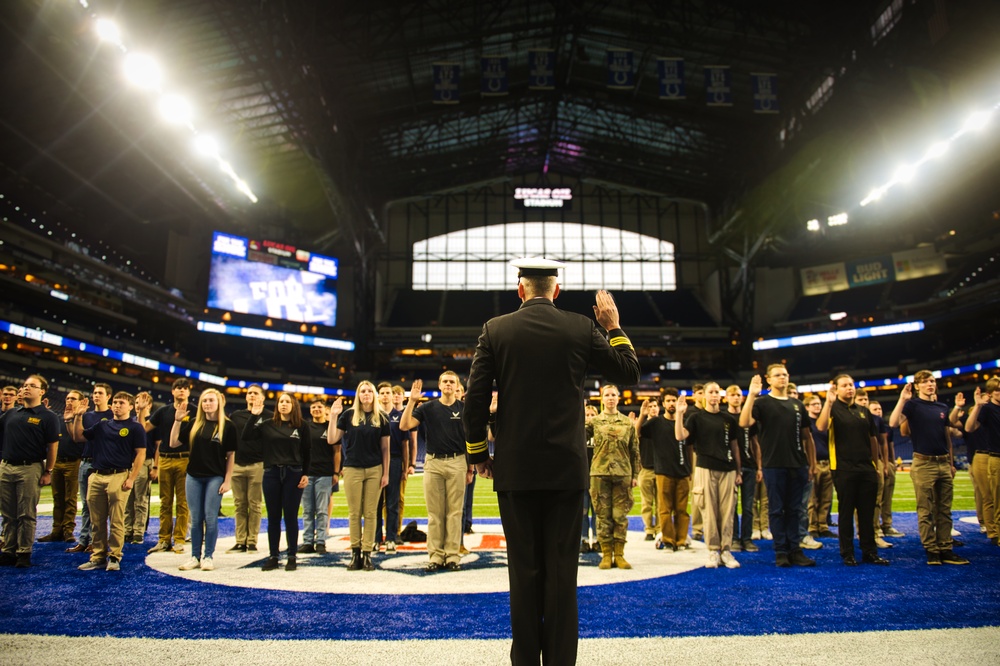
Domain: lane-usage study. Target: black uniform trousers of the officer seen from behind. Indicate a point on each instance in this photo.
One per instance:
(541, 528)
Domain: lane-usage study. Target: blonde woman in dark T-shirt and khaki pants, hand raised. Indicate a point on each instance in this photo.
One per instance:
(363, 432)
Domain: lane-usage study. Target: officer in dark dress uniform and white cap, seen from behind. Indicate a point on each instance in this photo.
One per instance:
(539, 357)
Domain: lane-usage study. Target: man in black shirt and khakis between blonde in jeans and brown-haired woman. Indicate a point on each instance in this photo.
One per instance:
(248, 474)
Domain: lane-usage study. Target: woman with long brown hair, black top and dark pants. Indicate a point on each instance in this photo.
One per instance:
(286, 442)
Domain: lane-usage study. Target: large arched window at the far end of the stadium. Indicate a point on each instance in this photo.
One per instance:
(596, 257)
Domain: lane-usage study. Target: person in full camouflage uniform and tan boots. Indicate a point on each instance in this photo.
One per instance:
(613, 473)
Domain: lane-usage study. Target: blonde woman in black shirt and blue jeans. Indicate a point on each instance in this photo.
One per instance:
(212, 440)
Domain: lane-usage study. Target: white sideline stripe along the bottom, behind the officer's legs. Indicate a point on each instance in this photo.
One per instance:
(936, 646)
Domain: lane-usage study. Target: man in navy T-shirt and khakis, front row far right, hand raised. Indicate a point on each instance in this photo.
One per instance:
(933, 468)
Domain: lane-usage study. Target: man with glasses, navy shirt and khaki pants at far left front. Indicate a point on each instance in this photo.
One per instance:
(29, 441)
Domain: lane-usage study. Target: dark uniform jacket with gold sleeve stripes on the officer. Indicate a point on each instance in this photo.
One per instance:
(539, 357)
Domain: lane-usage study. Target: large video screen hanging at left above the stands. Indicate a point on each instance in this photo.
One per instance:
(272, 280)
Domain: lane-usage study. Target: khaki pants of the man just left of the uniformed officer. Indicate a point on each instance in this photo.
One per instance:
(444, 492)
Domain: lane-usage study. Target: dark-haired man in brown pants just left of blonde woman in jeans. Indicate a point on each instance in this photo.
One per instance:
(170, 469)
